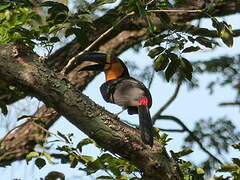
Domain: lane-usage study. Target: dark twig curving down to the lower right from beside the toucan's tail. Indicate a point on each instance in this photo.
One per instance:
(196, 139)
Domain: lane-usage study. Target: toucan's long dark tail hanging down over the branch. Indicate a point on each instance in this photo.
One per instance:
(145, 124)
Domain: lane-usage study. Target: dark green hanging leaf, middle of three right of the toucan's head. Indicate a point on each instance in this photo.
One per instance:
(172, 67)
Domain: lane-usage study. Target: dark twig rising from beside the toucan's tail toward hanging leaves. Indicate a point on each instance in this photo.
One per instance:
(171, 99)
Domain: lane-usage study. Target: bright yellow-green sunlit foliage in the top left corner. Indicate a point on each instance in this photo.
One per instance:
(13, 19)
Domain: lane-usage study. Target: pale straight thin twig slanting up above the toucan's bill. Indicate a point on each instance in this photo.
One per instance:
(74, 59)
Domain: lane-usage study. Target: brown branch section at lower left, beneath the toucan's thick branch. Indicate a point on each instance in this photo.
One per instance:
(19, 143)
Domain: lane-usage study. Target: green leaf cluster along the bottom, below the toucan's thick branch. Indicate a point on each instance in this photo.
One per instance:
(114, 167)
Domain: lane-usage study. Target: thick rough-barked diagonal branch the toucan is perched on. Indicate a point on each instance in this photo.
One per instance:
(97, 123)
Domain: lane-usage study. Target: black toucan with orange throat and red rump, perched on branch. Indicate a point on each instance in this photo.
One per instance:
(122, 89)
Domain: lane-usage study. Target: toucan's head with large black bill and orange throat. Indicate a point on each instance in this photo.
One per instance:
(111, 65)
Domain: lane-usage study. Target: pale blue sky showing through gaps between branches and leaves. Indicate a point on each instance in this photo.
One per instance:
(190, 106)
